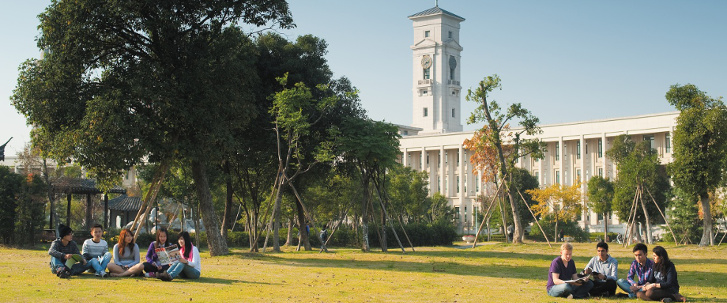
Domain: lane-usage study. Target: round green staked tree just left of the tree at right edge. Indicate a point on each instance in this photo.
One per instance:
(641, 180)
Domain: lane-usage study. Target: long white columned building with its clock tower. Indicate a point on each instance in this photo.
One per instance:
(434, 142)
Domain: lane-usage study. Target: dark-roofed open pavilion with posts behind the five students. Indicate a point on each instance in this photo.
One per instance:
(78, 186)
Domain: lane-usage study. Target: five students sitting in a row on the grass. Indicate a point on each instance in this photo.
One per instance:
(67, 261)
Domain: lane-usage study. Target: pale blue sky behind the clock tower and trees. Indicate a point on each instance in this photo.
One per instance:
(564, 60)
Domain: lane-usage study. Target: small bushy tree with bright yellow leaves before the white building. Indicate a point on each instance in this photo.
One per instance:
(562, 202)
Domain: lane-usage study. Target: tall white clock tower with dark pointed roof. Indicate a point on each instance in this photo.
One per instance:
(436, 69)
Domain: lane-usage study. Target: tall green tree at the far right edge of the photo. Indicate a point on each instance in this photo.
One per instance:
(700, 146)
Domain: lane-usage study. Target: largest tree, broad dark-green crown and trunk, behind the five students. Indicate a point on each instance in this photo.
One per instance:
(127, 80)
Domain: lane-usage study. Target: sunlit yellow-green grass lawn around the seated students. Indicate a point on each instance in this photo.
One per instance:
(492, 272)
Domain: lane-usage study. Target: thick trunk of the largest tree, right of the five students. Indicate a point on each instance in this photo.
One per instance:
(215, 242)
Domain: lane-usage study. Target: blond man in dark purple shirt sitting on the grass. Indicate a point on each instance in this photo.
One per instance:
(561, 273)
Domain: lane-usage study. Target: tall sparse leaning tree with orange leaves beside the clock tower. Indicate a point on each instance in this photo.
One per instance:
(497, 146)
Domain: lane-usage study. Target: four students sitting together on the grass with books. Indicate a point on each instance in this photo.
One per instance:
(648, 280)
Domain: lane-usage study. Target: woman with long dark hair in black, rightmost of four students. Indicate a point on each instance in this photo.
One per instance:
(662, 284)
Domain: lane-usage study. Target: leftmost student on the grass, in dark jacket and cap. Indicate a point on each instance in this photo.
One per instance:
(65, 259)
